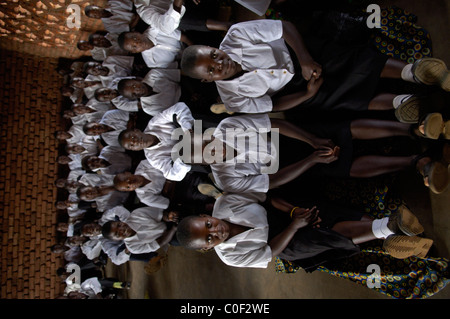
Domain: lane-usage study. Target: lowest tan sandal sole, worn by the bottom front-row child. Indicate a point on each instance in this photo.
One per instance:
(402, 247)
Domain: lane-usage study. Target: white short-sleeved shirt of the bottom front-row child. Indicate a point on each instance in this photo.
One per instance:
(250, 248)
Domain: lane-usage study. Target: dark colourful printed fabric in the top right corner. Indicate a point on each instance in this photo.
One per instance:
(400, 37)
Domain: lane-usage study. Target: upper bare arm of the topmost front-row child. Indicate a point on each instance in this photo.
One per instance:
(295, 41)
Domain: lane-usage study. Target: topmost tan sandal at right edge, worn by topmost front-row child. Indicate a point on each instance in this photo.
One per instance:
(431, 71)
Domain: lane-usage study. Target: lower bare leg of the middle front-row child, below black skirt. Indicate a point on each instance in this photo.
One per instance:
(374, 165)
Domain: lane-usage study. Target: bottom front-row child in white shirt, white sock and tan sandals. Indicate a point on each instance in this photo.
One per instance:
(240, 233)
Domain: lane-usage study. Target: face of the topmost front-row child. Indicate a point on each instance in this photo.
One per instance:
(213, 64)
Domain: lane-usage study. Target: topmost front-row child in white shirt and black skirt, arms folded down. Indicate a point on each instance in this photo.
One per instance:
(256, 73)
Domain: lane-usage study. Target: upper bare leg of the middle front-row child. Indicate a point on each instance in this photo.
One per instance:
(367, 129)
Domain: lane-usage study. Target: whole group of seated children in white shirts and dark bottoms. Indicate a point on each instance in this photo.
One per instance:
(141, 106)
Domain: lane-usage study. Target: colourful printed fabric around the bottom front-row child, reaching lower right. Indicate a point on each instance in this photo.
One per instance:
(408, 278)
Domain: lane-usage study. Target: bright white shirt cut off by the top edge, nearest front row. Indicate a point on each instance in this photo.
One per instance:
(160, 14)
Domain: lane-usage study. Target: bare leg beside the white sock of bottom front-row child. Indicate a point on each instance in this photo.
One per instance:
(358, 231)
